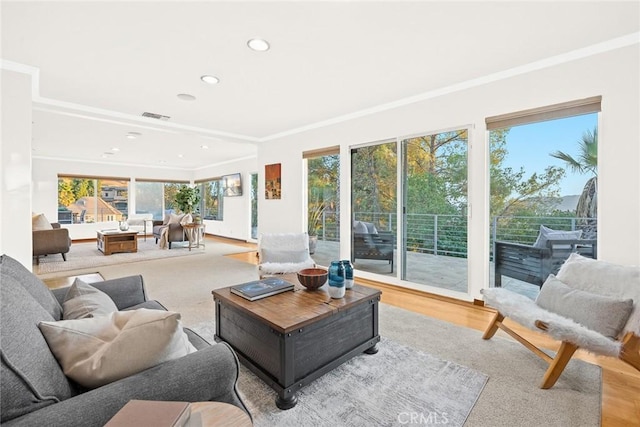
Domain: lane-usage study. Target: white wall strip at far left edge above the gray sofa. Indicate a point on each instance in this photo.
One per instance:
(15, 158)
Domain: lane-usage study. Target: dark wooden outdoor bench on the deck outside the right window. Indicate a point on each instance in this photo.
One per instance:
(532, 264)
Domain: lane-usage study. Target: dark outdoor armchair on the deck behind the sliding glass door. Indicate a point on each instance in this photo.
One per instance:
(369, 243)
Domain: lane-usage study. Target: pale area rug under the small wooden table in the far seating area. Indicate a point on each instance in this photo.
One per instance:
(87, 255)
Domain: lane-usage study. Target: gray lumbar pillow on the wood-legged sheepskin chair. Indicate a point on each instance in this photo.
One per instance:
(599, 313)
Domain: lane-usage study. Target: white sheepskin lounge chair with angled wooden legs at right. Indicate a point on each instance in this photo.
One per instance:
(591, 304)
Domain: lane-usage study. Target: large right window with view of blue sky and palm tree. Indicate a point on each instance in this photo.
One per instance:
(542, 174)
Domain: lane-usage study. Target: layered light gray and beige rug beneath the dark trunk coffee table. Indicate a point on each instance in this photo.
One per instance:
(510, 397)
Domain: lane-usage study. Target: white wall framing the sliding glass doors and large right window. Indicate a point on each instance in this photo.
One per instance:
(614, 75)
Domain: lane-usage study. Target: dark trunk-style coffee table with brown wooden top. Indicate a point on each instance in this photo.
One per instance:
(290, 339)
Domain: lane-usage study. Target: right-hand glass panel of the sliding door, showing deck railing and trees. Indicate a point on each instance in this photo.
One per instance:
(434, 243)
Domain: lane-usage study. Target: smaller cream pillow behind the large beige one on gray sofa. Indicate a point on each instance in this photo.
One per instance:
(83, 300)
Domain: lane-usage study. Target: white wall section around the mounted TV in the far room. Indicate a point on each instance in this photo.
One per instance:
(236, 218)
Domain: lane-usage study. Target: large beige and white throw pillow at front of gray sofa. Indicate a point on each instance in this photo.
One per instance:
(99, 350)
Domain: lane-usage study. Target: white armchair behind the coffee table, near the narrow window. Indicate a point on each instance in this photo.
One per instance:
(281, 253)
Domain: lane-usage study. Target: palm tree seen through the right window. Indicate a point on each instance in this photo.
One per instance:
(586, 163)
